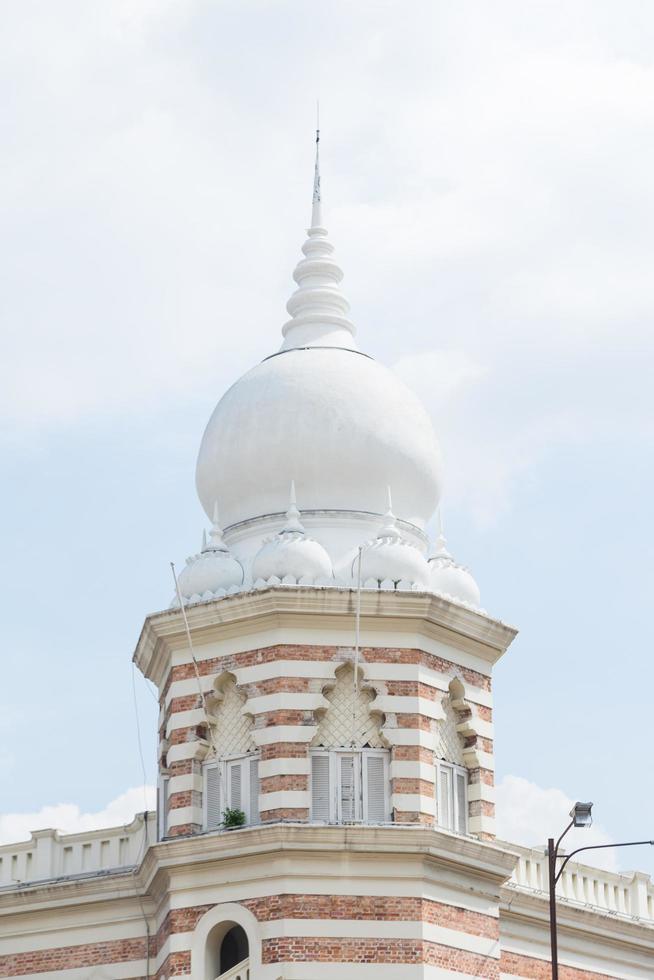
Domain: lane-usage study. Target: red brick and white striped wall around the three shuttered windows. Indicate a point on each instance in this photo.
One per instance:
(283, 690)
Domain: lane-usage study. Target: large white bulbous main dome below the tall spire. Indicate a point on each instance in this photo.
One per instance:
(338, 422)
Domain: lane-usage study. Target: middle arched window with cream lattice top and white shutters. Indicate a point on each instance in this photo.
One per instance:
(349, 763)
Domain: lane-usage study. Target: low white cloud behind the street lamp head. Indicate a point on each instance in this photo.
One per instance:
(528, 814)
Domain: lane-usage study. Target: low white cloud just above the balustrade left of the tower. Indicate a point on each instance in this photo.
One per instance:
(68, 818)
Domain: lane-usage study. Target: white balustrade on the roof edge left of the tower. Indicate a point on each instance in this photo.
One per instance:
(50, 855)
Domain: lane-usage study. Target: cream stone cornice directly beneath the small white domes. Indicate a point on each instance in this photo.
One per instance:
(307, 606)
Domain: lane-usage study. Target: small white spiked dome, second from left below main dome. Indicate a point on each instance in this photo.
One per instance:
(291, 554)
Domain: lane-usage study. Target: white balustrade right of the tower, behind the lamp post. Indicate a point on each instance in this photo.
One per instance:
(620, 894)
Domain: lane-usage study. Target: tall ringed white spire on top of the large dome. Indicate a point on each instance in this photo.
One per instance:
(318, 308)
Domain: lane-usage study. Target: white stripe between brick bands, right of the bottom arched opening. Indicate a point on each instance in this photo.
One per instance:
(380, 929)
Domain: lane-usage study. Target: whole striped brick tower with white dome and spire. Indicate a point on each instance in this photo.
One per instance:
(326, 738)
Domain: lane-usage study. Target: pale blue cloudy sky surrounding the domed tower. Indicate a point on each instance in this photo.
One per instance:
(486, 173)
